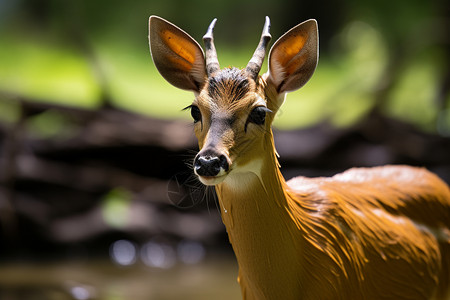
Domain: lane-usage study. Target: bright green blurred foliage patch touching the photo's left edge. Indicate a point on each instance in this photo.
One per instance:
(46, 70)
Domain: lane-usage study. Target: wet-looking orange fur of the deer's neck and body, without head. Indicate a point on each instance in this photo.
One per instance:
(375, 233)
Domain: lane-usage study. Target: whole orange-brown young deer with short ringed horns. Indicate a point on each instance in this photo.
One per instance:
(368, 233)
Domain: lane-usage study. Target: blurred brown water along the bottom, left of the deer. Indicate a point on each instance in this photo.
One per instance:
(105, 280)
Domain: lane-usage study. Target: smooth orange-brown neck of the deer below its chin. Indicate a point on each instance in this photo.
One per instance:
(255, 211)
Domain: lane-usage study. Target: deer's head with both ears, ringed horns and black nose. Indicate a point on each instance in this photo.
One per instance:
(233, 109)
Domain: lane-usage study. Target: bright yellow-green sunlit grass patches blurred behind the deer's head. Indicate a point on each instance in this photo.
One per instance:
(341, 91)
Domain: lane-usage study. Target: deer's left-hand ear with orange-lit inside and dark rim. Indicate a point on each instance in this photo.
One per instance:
(177, 56)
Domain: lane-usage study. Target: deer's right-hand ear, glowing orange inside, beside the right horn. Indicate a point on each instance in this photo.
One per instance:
(293, 58)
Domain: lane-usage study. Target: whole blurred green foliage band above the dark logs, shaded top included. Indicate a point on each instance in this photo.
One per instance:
(75, 52)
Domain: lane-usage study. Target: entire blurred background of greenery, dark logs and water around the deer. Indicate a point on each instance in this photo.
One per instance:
(97, 200)
